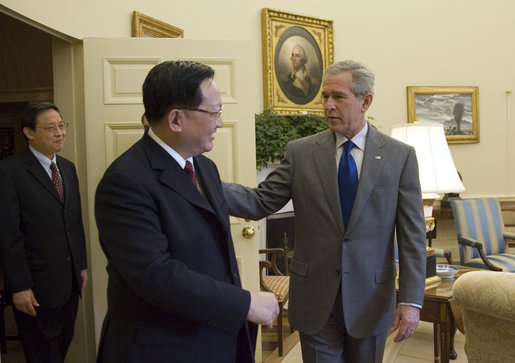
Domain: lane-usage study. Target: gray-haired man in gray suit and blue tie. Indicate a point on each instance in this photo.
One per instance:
(342, 286)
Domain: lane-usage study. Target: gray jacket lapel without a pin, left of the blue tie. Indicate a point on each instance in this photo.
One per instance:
(325, 164)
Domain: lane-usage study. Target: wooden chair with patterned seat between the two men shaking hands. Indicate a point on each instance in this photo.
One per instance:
(277, 284)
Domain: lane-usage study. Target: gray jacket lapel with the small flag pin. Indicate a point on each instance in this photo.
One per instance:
(371, 169)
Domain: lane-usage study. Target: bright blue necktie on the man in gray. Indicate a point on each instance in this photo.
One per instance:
(347, 181)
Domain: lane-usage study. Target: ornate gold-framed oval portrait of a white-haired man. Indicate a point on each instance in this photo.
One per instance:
(311, 39)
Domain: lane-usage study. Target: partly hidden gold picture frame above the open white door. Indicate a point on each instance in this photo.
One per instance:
(144, 26)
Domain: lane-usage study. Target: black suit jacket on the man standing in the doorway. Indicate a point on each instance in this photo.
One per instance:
(42, 243)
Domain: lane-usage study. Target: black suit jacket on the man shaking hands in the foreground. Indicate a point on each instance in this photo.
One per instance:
(174, 290)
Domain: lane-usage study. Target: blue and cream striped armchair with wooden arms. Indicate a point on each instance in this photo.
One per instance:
(482, 239)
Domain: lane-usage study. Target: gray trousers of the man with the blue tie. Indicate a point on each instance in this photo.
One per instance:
(333, 344)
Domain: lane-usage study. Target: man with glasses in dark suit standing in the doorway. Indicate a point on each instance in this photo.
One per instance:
(42, 243)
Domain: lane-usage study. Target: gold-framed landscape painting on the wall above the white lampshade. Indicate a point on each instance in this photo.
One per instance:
(457, 108)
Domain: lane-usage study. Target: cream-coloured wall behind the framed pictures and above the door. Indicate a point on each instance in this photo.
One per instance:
(406, 43)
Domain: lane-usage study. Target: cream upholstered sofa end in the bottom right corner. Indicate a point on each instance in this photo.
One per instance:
(487, 302)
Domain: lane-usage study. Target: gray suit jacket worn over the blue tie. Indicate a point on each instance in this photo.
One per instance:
(361, 258)
